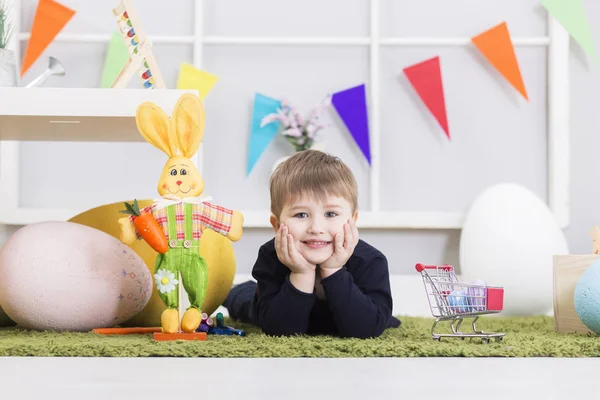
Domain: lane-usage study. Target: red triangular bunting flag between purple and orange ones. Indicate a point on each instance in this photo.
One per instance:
(426, 78)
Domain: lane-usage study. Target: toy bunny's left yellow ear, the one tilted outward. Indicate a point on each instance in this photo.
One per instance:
(154, 125)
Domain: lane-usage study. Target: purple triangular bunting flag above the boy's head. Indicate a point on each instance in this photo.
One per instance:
(351, 105)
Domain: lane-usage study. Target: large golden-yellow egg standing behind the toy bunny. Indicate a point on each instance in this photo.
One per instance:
(216, 249)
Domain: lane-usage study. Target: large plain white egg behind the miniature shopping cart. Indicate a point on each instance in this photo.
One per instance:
(508, 239)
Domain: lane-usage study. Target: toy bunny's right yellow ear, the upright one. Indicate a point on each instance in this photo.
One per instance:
(188, 118)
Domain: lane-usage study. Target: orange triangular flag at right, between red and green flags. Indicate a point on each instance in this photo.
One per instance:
(497, 47)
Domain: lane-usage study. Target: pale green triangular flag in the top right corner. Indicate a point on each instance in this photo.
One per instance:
(571, 15)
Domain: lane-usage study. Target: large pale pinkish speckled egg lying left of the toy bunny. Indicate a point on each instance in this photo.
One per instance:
(67, 276)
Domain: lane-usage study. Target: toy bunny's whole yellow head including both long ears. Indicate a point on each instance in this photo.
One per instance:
(178, 137)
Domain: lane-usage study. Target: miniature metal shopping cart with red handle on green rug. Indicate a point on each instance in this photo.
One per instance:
(452, 300)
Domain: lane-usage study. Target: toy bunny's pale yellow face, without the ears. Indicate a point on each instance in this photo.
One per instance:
(180, 178)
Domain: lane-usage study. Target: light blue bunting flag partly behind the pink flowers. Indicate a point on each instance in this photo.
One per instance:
(260, 138)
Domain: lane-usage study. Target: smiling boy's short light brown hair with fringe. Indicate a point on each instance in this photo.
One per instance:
(313, 173)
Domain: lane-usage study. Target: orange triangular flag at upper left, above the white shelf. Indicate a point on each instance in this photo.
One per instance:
(50, 18)
